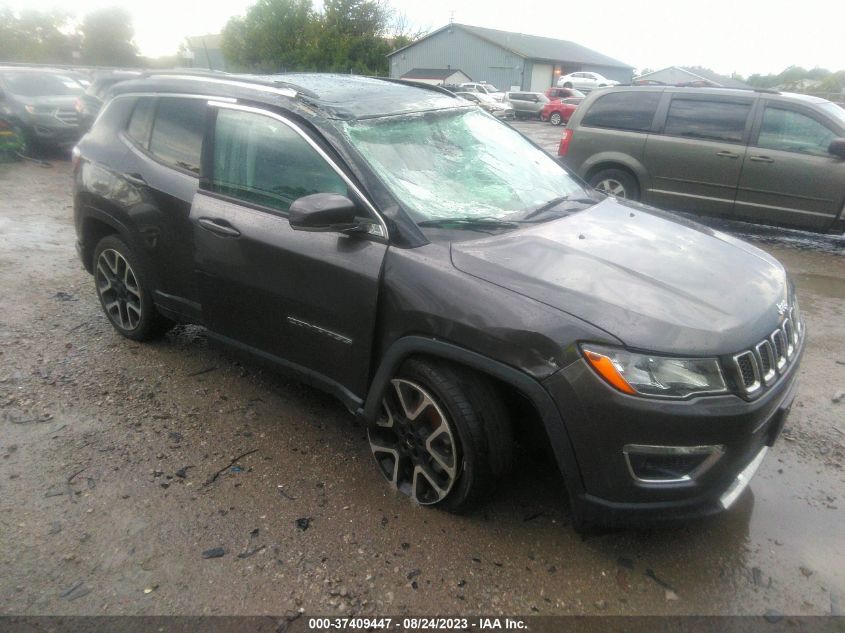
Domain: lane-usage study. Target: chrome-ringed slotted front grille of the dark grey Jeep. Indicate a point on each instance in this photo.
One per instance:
(761, 366)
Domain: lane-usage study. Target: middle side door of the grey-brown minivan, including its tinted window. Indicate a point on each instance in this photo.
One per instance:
(696, 156)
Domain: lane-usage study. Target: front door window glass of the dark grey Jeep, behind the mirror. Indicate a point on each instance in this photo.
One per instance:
(260, 160)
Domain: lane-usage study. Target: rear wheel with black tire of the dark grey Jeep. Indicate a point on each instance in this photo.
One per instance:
(126, 298)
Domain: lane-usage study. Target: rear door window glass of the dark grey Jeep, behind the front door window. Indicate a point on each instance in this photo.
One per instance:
(177, 132)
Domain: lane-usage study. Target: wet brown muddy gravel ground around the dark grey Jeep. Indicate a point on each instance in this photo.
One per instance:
(121, 464)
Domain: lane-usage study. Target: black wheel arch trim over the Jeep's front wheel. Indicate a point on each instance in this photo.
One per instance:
(512, 378)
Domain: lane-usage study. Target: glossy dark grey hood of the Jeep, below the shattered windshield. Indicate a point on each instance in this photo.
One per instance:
(653, 280)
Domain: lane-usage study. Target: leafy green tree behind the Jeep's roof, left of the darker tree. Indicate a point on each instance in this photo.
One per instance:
(273, 36)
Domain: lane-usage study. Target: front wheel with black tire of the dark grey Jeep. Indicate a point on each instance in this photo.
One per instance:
(479, 433)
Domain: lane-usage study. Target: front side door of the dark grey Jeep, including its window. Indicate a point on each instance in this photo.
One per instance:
(300, 299)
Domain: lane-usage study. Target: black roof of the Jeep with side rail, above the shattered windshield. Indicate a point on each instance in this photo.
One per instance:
(335, 96)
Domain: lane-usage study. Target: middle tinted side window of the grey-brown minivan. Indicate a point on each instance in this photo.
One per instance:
(699, 118)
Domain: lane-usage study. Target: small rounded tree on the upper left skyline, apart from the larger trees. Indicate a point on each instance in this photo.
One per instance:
(107, 38)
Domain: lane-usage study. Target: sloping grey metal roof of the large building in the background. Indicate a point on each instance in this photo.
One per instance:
(533, 46)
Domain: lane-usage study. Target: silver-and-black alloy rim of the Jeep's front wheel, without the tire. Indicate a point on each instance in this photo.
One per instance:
(414, 444)
